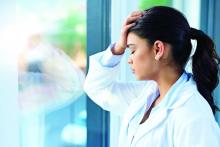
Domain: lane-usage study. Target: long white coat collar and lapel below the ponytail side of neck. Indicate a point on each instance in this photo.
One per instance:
(177, 95)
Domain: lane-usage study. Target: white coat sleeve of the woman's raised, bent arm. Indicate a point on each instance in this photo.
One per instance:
(103, 88)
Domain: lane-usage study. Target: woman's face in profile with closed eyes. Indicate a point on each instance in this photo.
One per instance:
(142, 58)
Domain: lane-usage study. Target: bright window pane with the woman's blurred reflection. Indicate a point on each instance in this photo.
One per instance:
(51, 67)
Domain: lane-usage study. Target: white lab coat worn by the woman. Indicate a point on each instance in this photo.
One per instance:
(182, 119)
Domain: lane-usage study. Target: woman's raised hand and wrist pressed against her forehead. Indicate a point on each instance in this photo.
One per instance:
(121, 44)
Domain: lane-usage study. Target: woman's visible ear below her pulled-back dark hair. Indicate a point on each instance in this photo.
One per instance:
(159, 48)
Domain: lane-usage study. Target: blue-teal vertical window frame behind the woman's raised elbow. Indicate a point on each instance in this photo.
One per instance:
(98, 25)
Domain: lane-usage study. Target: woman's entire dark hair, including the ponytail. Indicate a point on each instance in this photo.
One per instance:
(170, 26)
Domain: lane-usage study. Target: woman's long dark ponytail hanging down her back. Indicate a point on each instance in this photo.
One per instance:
(205, 65)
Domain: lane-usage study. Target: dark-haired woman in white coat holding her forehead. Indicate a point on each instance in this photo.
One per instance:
(169, 107)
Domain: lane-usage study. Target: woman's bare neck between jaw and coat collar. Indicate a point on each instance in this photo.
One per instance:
(166, 78)
